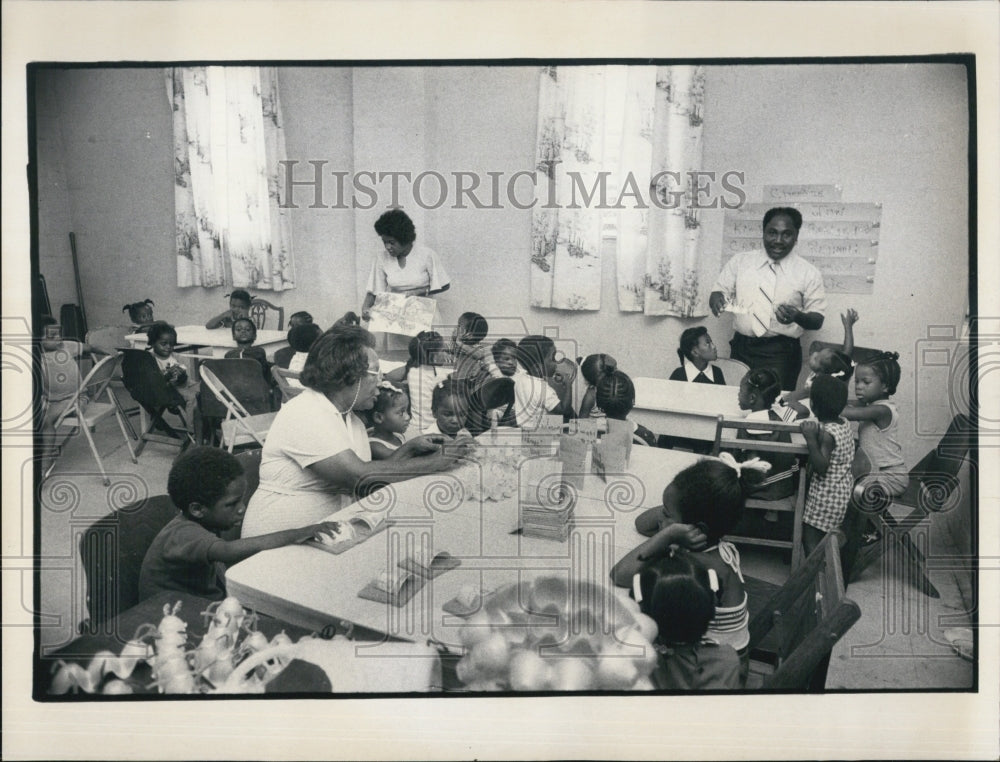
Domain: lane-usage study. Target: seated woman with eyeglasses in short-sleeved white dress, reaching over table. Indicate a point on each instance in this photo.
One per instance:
(316, 459)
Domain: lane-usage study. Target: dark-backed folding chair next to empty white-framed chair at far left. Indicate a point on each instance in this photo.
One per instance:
(148, 387)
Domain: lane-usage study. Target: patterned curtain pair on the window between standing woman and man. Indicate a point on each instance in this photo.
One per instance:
(633, 124)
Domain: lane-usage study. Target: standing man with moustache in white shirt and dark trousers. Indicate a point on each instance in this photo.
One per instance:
(775, 296)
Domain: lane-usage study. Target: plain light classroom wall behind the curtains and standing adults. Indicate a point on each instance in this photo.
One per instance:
(893, 134)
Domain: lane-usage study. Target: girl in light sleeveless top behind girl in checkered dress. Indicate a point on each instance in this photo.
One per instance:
(878, 431)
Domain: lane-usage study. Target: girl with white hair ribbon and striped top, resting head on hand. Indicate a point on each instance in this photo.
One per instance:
(700, 506)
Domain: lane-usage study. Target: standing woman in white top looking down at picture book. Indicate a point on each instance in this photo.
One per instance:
(404, 266)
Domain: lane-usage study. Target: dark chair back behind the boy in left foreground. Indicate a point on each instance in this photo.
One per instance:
(112, 550)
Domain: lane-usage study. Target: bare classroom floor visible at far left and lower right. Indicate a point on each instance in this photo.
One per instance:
(897, 643)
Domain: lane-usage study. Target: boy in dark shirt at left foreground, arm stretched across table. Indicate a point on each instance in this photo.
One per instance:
(207, 484)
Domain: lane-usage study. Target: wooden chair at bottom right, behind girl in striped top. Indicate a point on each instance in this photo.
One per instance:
(793, 633)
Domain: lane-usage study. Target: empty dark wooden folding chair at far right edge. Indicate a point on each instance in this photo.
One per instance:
(932, 482)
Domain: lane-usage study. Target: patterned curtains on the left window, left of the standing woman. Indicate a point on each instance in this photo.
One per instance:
(228, 140)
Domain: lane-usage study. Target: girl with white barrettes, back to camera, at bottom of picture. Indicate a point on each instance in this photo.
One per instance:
(676, 592)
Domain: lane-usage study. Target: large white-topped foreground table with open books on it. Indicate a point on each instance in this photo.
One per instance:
(310, 587)
